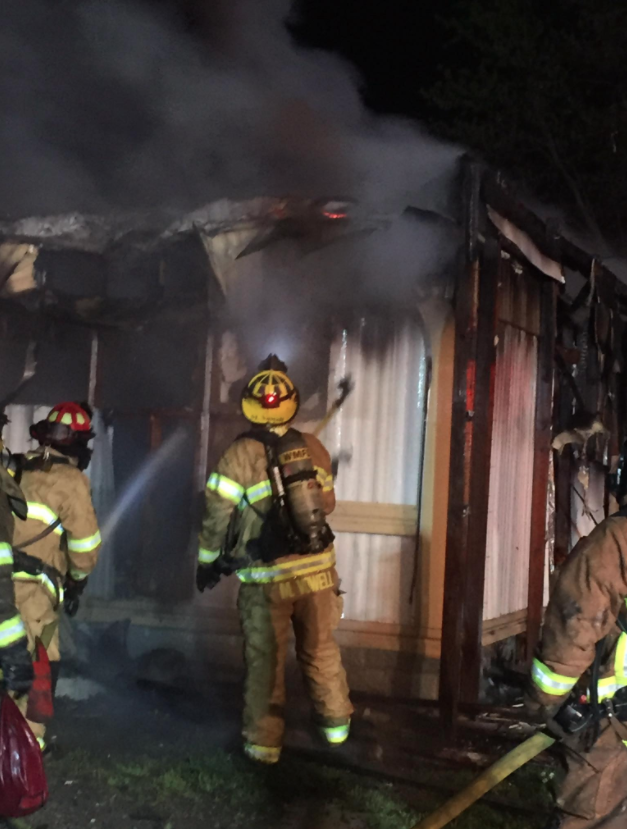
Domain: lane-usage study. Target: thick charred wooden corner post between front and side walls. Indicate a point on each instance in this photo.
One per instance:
(473, 398)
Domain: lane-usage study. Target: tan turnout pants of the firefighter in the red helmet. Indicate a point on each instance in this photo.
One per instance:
(38, 616)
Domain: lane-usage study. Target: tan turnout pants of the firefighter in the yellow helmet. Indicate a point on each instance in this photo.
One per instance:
(267, 612)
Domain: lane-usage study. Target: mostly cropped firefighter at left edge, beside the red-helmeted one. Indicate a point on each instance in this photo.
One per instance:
(15, 661)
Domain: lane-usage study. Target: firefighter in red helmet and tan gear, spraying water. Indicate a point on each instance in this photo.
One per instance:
(57, 547)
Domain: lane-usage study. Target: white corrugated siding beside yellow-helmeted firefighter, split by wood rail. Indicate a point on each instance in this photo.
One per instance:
(378, 437)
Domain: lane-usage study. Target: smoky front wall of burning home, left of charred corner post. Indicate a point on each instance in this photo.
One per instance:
(158, 325)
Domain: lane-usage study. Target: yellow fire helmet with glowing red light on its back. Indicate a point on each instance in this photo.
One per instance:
(270, 398)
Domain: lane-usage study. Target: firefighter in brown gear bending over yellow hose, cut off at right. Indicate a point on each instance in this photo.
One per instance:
(584, 634)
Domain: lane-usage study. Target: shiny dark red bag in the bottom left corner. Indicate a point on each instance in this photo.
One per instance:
(23, 786)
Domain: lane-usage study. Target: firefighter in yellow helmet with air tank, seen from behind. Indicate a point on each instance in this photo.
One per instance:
(266, 504)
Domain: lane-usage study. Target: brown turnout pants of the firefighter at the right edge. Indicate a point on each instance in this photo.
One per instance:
(594, 792)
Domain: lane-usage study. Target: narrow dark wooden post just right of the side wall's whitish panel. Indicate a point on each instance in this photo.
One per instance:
(542, 449)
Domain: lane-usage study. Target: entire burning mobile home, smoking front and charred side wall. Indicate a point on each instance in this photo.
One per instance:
(471, 334)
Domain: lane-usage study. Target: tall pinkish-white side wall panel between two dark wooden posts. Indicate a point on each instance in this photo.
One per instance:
(511, 475)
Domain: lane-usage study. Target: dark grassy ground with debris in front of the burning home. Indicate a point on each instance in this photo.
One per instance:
(148, 761)
